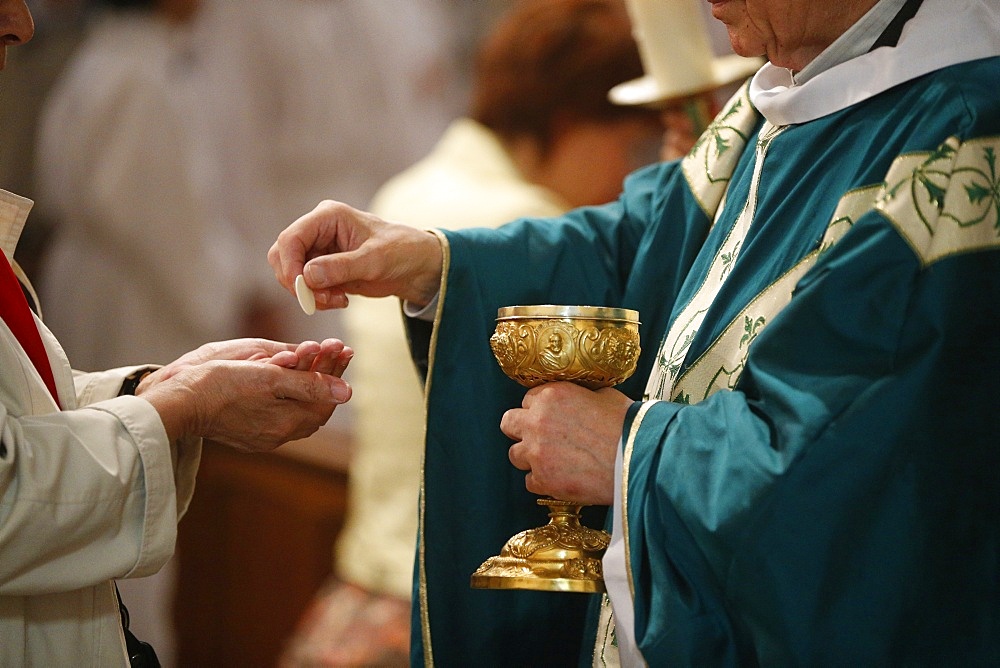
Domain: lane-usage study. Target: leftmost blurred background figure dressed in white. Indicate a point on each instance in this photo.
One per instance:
(138, 264)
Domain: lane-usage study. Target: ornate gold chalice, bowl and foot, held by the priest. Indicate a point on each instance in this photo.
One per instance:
(593, 346)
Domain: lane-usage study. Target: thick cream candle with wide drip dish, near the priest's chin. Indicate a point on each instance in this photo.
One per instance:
(677, 56)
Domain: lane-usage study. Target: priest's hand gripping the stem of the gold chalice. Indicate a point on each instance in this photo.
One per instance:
(566, 439)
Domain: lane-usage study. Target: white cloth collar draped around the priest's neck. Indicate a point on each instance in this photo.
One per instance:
(943, 33)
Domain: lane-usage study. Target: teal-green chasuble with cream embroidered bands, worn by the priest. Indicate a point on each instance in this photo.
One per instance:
(815, 477)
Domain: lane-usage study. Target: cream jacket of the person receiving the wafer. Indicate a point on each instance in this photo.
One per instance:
(89, 493)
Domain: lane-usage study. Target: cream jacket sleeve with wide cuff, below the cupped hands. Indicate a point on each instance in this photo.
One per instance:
(88, 495)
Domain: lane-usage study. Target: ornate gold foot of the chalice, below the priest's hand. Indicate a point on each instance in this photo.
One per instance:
(563, 555)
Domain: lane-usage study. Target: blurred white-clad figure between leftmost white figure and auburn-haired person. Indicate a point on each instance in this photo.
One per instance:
(363, 90)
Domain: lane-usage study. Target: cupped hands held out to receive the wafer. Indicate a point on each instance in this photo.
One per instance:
(250, 394)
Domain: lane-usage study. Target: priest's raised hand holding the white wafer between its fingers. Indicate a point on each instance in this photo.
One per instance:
(340, 250)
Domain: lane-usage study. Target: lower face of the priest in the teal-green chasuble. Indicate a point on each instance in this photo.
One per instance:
(789, 32)
